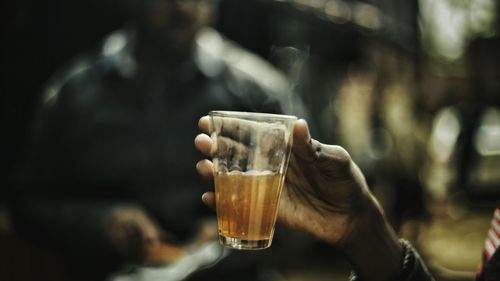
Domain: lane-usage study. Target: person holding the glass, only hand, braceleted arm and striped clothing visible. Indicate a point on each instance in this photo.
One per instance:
(326, 195)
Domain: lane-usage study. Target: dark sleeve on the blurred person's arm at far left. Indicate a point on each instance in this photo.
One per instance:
(51, 208)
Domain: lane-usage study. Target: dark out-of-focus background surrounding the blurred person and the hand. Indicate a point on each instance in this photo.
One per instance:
(410, 88)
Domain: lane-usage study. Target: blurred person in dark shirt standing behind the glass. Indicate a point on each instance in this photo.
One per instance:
(108, 179)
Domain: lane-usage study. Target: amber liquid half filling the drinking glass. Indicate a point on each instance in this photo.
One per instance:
(247, 204)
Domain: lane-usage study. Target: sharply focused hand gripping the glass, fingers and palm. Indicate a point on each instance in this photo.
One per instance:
(324, 194)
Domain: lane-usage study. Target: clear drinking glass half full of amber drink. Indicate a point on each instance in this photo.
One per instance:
(251, 152)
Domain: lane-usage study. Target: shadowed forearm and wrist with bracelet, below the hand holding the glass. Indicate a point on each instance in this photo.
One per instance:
(377, 253)
